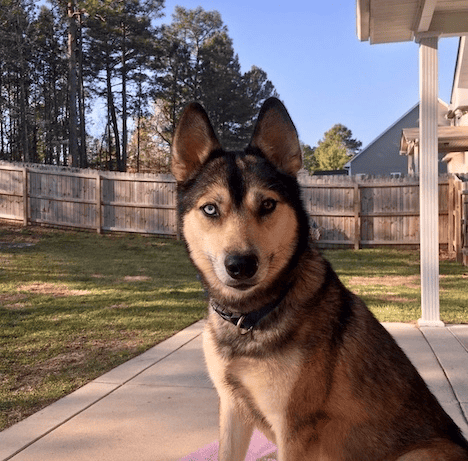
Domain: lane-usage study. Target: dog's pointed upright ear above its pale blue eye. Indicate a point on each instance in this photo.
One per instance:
(194, 140)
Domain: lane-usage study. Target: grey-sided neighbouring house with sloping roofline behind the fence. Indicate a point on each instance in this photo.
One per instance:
(382, 156)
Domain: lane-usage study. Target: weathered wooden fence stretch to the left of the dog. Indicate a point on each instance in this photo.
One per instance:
(103, 201)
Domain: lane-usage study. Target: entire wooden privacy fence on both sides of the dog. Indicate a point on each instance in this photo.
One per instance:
(347, 211)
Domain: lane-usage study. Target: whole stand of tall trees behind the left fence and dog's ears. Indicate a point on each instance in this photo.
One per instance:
(59, 63)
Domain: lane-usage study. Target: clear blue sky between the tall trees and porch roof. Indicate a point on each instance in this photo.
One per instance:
(320, 69)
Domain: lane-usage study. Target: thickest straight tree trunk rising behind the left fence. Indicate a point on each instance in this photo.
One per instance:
(72, 85)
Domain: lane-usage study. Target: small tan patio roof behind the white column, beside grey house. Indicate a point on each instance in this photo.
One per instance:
(451, 139)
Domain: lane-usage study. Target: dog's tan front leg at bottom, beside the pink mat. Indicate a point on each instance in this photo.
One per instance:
(235, 433)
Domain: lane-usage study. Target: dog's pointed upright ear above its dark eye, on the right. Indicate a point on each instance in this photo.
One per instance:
(276, 136)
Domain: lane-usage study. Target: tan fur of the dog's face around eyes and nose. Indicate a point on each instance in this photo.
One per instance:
(274, 239)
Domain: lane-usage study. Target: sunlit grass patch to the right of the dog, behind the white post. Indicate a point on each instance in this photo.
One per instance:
(389, 282)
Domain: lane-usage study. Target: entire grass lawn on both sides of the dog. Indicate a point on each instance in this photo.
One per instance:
(73, 305)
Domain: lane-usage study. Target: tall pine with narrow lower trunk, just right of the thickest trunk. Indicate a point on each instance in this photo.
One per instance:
(119, 34)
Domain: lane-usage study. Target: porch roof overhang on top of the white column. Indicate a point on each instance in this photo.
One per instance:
(386, 21)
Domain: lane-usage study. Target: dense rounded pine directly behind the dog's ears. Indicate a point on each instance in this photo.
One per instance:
(200, 64)
